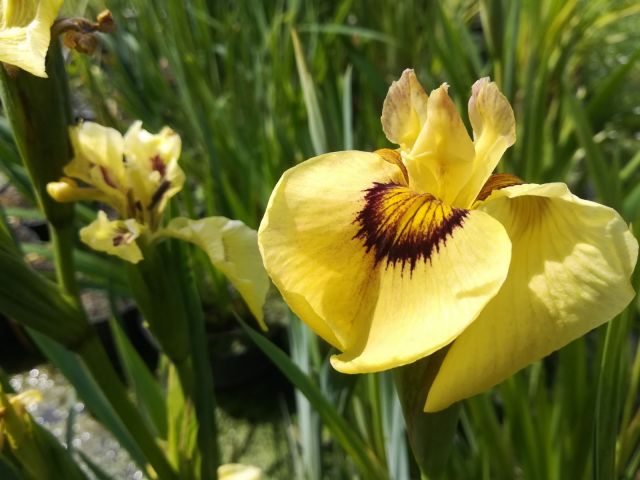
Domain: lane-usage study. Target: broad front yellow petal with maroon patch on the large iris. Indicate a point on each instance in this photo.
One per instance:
(384, 273)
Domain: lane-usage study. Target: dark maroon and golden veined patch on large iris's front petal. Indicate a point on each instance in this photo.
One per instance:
(402, 226)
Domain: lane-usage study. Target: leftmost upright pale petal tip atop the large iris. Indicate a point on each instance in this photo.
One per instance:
(404, 111)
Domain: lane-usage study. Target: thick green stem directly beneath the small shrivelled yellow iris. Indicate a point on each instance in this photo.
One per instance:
(164, 288)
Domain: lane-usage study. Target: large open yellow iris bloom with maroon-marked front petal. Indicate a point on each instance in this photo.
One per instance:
(390, 256)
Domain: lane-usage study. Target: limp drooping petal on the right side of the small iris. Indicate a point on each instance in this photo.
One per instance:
(232, 248)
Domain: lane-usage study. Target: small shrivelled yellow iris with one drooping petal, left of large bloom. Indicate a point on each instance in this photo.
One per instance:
(136, 174)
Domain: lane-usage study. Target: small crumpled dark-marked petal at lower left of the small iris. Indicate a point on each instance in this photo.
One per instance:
(115, 237)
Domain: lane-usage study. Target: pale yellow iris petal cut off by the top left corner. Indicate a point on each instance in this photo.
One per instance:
(25, 32)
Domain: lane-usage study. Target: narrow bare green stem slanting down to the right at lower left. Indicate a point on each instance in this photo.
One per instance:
(95, 358)
